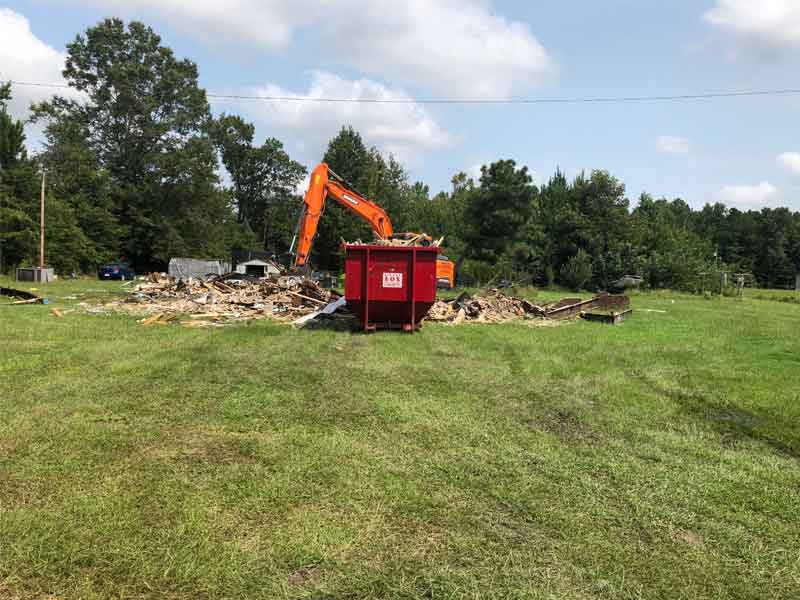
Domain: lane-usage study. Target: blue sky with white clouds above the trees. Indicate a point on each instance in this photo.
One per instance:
(742, 151)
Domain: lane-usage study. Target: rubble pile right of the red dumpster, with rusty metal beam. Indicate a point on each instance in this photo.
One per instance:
(497, 307)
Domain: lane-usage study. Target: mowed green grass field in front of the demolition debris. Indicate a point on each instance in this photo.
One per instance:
(657, 459)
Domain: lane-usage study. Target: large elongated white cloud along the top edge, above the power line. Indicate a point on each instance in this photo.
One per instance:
(450, 47)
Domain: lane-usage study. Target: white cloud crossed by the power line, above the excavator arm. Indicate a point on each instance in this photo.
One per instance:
(405, 129)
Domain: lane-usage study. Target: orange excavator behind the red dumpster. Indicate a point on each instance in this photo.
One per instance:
(325, 183)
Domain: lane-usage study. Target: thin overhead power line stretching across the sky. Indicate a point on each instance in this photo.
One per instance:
(574, 100)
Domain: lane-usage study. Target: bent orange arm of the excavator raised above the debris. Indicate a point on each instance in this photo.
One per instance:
(325, 183)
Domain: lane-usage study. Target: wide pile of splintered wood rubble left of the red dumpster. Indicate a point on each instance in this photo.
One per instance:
(224, 299)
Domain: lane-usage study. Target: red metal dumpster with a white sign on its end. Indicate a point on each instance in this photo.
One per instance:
(390, 287)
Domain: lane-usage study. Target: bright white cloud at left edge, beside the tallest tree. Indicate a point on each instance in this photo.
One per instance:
(24, 57)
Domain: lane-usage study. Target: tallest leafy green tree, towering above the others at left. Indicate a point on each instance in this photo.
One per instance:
(144, 119)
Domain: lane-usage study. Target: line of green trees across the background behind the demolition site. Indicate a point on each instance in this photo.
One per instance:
(133, 161)
